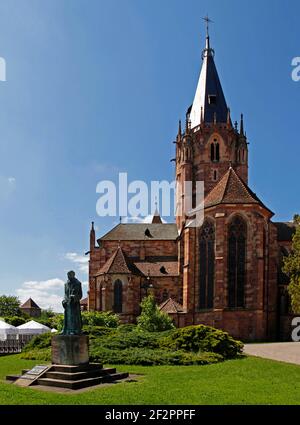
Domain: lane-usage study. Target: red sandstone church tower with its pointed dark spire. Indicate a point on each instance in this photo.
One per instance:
(210, 143)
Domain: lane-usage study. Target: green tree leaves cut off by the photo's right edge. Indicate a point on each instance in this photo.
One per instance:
(292, 268)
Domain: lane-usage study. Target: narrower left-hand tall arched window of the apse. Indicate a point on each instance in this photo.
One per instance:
(207, 265)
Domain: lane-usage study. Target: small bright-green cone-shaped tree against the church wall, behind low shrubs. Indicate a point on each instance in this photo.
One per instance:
(151, 318)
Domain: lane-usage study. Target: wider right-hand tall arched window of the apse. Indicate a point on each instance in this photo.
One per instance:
(237, 238)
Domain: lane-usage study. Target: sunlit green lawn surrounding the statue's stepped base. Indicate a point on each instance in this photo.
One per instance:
(244, 381)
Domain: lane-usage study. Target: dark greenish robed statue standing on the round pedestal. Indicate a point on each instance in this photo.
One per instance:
(71, 304)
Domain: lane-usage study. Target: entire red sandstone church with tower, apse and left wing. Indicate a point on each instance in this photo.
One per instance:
(226, 273)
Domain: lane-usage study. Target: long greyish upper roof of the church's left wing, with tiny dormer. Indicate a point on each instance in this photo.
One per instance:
(141, 231)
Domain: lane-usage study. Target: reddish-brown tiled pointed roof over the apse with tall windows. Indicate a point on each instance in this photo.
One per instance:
(231, 190)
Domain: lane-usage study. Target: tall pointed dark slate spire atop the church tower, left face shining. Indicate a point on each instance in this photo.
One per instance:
(209, 98)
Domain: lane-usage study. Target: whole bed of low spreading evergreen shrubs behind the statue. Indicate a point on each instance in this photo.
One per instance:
(128, 344)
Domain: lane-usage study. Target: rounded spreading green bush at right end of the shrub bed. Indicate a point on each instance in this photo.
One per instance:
(204, 339)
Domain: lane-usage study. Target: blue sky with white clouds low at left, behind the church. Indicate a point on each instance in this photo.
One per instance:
(95, 88)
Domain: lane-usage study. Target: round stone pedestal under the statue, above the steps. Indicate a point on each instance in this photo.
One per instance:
(70, 350)
